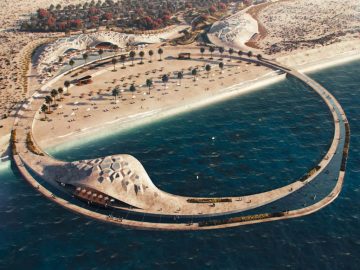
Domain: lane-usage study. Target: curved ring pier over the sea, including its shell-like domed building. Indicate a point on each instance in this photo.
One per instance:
(120, 184)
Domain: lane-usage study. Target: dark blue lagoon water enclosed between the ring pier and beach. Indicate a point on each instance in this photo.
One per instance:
(249, 144)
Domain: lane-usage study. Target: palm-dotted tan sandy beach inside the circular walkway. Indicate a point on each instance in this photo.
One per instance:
(93, 112)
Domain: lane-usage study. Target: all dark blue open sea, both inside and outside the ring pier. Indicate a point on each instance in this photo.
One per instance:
(262, 140)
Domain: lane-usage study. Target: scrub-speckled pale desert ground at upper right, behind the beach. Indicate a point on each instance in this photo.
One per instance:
(305, 23)
